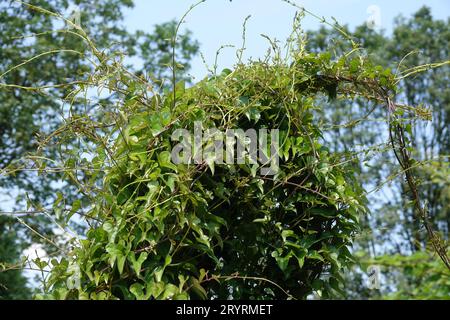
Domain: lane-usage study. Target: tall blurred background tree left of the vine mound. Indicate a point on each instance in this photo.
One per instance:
(31, 36)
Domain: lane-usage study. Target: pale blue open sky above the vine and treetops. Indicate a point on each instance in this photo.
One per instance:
(219, 22)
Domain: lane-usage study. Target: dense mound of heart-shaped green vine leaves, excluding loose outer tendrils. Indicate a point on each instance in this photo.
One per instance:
(221, 230)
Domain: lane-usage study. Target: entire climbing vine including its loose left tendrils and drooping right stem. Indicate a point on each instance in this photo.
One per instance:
(161, 230)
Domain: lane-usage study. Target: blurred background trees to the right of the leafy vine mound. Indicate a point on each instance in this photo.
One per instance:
(393, 228)
